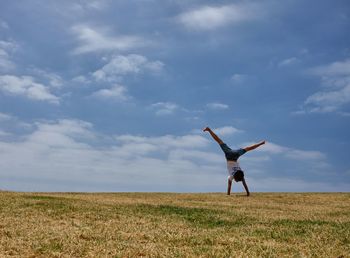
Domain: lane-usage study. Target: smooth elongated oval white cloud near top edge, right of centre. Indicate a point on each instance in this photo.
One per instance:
(213, 17)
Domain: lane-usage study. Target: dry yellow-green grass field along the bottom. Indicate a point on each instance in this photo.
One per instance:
(174, 225)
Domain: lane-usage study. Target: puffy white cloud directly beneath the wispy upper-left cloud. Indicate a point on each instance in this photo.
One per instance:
(121, 65)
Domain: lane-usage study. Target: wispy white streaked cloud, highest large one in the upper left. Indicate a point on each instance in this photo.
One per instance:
(98, 39)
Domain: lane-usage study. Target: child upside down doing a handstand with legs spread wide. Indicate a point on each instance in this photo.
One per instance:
(234, 170)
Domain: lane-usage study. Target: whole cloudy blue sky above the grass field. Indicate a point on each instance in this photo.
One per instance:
(112, 96)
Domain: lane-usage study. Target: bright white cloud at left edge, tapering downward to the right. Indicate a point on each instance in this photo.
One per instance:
(26, 86)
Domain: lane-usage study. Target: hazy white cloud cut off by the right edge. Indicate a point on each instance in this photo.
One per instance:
(336, 78)
